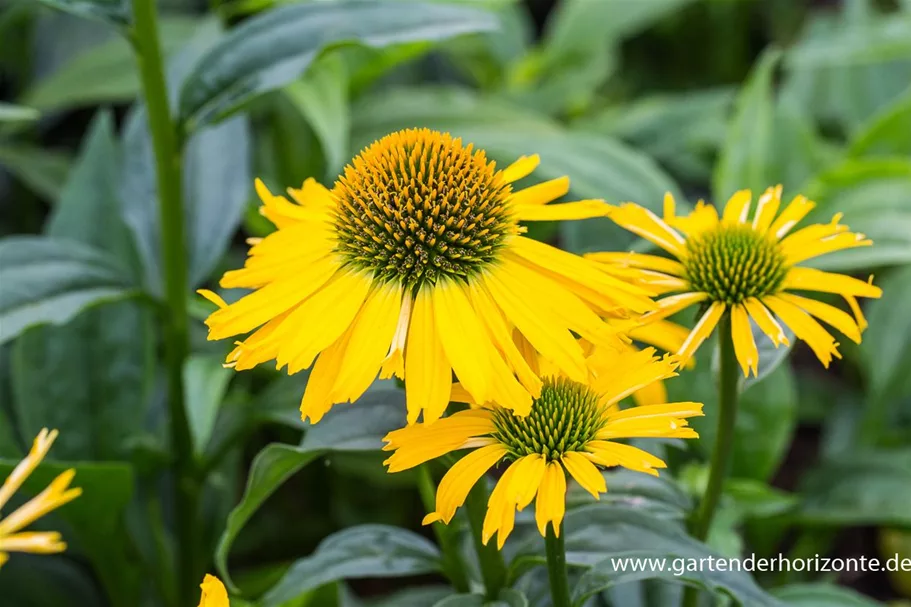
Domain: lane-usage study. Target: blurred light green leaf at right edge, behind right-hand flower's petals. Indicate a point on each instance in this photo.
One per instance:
(873, 195)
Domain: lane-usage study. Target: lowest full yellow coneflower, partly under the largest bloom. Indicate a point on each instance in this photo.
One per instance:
(571, 429)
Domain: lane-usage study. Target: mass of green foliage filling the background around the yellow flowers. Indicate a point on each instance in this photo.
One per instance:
(292, 90)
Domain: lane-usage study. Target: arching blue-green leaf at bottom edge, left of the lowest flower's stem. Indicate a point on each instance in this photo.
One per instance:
(374, 551)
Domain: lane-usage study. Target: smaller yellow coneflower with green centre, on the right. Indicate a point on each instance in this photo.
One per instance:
(745, 267)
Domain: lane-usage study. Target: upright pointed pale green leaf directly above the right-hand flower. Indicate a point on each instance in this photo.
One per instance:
(744, 159)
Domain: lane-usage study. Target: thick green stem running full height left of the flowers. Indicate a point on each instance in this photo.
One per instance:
(168, 161)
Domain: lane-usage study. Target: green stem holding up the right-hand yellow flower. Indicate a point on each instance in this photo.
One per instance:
(728, 392)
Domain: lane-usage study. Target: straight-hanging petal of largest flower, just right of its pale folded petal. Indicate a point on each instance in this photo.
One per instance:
(427, 369)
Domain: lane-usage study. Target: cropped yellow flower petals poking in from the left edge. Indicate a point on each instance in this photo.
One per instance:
(58, 493)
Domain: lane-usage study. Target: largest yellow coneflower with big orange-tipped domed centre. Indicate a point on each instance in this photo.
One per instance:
(414, 265)
